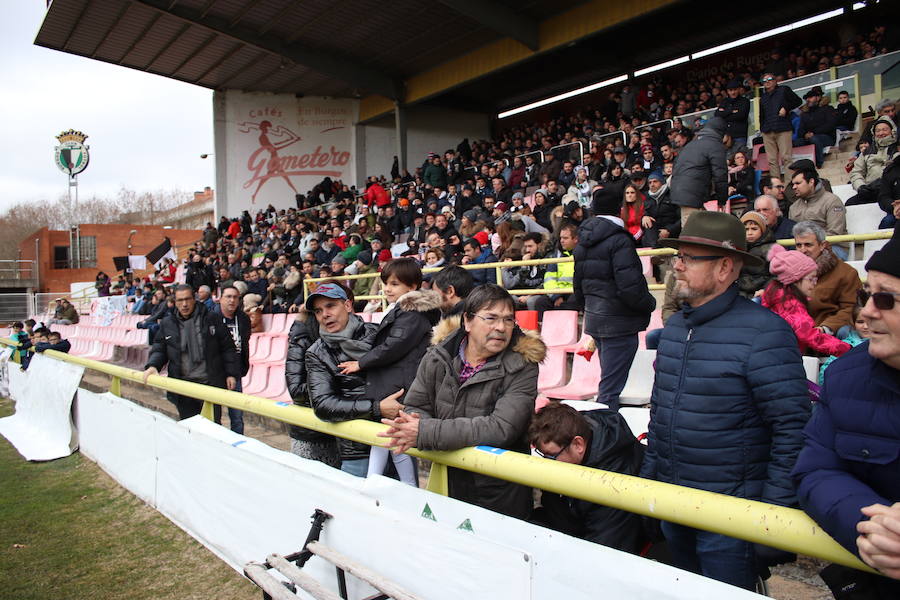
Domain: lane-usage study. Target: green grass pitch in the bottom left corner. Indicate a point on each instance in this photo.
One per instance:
(67, 530)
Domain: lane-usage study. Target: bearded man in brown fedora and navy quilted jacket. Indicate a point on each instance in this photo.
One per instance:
(729, 401)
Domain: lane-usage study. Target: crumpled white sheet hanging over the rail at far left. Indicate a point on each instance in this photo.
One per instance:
(41, 428)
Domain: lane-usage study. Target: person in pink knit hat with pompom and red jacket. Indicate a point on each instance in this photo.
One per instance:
(788, 295)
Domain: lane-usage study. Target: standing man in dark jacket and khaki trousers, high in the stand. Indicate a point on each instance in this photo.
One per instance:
(775, 104)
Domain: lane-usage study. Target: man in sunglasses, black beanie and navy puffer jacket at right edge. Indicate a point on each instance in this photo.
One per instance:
(848, 473)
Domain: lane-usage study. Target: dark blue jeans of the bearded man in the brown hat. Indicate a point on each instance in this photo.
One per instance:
(711, 554)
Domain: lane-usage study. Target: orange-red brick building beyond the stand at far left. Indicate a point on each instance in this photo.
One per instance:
(58, 268)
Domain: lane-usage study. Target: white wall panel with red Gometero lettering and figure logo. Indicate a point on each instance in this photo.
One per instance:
(278, 146)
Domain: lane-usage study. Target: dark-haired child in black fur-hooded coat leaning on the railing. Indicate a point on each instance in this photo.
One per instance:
(400, 343)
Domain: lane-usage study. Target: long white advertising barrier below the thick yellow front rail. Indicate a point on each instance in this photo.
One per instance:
(244, 500)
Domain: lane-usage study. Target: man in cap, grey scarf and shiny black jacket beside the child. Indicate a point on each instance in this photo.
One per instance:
(333, 395)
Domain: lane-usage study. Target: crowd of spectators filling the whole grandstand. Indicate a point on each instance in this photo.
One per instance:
(739, 312)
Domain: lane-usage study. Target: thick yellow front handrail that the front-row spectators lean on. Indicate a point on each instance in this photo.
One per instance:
(777, 526)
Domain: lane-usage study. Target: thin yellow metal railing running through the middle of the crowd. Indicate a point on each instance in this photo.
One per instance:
(497, 266)
